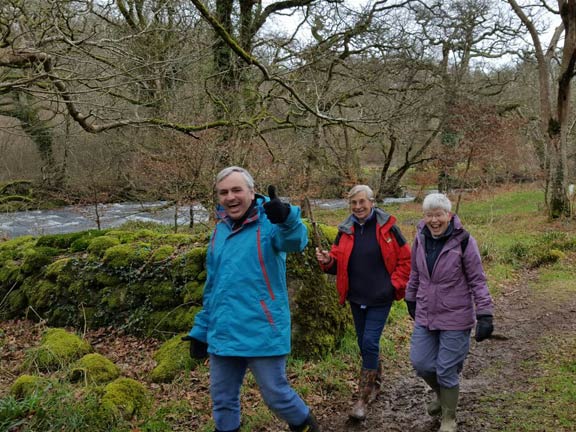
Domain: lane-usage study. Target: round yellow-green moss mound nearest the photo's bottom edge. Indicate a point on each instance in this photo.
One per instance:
(126, 398)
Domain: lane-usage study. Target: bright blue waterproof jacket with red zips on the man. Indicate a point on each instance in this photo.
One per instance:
(246, 312)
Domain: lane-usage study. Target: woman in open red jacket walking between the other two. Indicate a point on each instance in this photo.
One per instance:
(371, 261)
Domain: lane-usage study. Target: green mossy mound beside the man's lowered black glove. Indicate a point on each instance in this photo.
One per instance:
(172, 358)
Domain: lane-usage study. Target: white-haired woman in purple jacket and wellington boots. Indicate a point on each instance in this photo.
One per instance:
(446, 295)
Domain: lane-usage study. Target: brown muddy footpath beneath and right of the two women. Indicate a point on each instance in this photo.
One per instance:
(495, 366)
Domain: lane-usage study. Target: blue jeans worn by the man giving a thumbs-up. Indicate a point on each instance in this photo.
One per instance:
(226, 377)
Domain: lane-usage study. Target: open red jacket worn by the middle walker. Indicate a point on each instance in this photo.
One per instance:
(395, 252)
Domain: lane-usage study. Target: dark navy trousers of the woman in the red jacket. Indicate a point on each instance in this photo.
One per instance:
(369, 322)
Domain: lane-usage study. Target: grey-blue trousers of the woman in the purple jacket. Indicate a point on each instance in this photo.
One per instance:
(440, 353)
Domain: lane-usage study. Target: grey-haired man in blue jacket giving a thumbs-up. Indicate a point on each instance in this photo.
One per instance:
(245, 318)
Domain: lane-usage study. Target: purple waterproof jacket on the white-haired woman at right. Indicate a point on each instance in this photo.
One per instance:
(456, 291)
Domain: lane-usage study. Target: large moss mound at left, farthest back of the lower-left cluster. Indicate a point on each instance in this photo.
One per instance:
(57, 349)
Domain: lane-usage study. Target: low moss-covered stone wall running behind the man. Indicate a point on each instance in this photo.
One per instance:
(146, 283)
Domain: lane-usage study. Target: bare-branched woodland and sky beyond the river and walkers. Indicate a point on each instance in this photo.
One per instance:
(137, 99)
